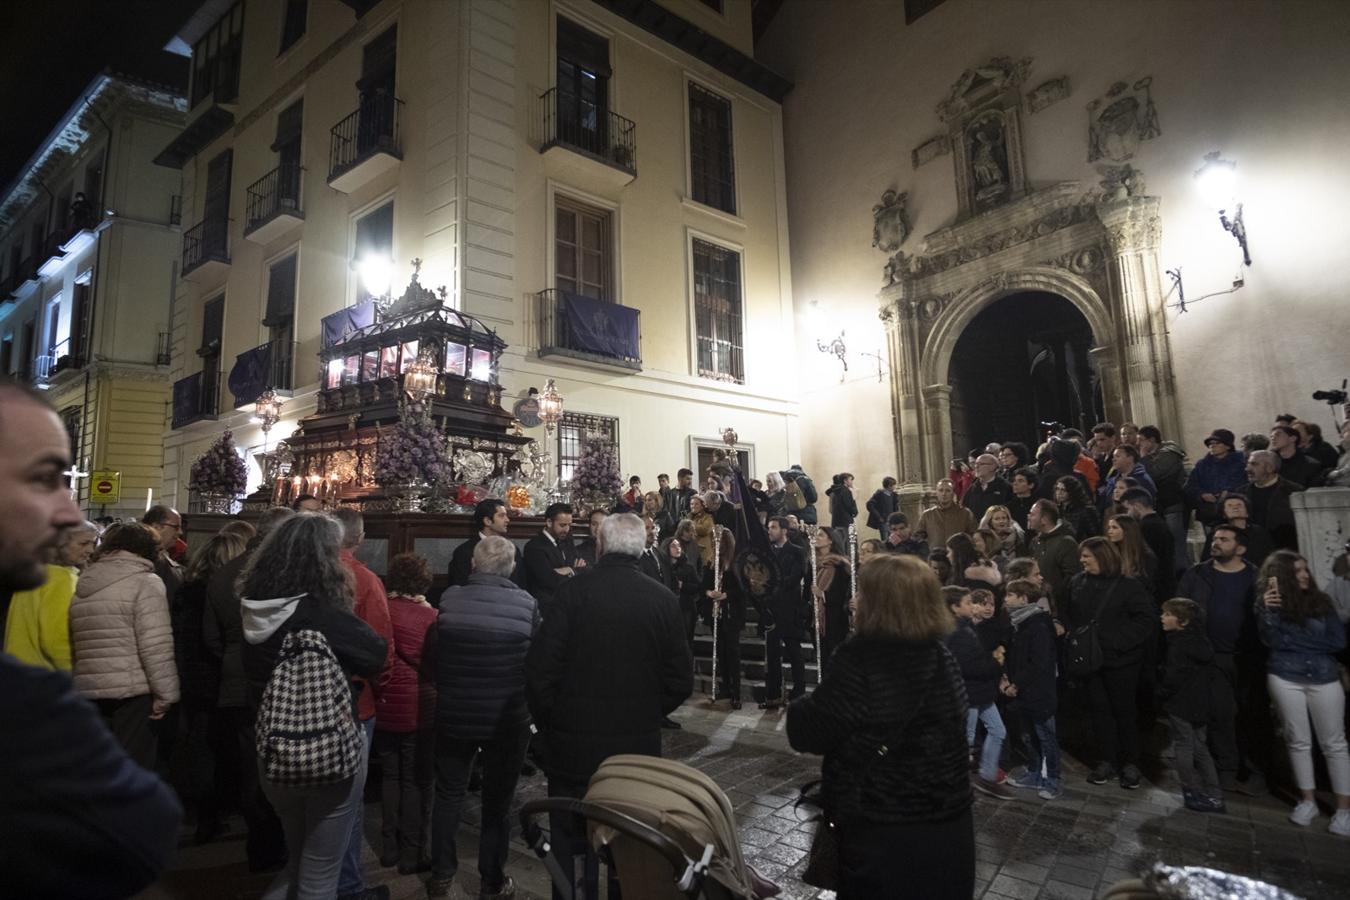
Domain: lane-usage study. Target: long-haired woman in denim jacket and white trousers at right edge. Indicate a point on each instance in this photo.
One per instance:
(1301, 627)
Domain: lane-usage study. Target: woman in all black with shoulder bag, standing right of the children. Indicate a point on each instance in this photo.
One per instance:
(1127, 619)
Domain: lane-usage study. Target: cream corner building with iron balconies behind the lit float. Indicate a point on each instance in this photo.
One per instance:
(600, 181)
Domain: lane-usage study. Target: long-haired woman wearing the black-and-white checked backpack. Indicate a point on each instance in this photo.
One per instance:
(296, 581)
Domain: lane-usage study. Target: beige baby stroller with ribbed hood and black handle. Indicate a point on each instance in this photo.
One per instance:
(666, 829)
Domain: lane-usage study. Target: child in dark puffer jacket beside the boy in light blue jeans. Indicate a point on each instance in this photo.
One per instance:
(1031, 683)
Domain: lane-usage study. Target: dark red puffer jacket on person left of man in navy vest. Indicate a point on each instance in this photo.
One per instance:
(408, 693)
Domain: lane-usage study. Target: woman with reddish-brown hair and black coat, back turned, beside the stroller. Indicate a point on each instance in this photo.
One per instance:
(890, 721)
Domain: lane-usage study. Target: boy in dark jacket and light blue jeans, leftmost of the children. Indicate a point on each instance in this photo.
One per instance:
(981, 670)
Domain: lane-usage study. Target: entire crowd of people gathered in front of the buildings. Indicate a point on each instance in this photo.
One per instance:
(1040, 601)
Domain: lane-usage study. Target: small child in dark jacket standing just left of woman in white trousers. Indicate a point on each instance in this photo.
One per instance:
(1187, 692)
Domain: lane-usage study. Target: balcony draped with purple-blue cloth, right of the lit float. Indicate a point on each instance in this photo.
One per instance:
(591, 331)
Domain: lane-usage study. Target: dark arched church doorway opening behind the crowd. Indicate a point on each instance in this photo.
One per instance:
(1020, 366)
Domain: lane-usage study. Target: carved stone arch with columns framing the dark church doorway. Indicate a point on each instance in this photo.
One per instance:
(1102, 257)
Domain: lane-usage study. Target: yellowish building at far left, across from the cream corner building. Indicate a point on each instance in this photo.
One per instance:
(88, 264)
